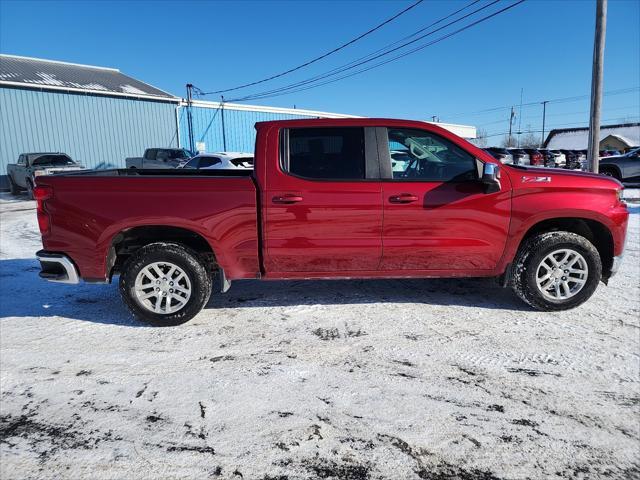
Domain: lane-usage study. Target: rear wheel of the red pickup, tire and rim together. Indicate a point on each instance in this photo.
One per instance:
(165, 284)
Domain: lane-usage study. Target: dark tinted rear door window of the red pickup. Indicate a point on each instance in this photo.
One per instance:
(326, 153)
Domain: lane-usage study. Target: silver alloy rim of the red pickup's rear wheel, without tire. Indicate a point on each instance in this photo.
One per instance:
(162, 287)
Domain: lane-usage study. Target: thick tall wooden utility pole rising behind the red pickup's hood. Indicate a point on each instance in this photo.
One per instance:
(596, 85)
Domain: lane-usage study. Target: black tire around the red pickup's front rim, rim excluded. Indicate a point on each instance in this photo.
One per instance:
(531, 254)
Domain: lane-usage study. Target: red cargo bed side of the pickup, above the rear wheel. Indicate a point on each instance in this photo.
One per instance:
(88, 209)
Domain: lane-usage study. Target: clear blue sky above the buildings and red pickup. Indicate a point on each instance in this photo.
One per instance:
(542, 47)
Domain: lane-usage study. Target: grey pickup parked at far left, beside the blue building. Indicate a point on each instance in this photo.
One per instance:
(22, 174)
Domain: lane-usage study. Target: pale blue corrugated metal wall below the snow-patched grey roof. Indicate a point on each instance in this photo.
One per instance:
(98, 131)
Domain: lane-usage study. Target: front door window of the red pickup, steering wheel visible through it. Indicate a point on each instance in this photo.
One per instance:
(422, 155)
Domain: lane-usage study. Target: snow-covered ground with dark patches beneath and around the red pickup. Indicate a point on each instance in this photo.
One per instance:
(432, 379)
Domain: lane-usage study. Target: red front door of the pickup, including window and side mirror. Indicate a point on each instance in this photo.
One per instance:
(436, 213)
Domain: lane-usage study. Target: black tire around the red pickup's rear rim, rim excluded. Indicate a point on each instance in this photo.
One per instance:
(183, 257)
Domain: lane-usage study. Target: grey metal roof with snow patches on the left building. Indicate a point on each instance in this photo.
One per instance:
(39, 73)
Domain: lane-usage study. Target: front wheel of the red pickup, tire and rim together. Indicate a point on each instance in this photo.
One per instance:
(556, 271)
